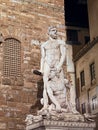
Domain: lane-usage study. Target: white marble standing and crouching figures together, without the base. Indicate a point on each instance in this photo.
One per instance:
(53, 54)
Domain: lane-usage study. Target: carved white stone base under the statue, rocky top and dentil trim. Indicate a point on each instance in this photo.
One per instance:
(60, 121)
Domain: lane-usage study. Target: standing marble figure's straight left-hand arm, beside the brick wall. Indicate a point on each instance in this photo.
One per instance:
(42, 59)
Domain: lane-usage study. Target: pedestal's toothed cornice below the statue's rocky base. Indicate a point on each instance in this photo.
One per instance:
(61, 125)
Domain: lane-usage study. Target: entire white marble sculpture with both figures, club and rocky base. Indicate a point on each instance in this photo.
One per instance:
(56, 104)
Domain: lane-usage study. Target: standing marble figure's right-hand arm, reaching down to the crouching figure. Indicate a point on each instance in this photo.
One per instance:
(63, 55)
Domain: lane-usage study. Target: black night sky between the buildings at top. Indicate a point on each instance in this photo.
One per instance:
(76, 13)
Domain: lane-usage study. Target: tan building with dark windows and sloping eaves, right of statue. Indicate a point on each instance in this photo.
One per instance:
(86, 77)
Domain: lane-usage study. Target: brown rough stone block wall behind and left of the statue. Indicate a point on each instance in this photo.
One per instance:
(24, 21)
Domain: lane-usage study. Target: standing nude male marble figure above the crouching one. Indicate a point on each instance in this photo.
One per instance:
(53, 56)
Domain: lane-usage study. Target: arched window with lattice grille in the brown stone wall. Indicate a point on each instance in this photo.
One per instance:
(12, 58)
